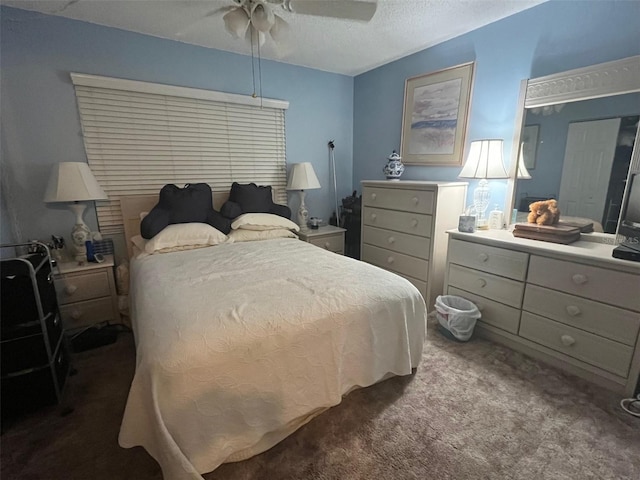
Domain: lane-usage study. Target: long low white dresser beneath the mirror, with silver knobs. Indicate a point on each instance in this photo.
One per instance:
(573, 306)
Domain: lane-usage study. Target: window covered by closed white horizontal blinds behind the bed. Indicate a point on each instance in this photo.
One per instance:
(140, 136)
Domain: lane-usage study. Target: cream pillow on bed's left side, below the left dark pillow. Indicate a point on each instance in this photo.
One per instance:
(182, 235)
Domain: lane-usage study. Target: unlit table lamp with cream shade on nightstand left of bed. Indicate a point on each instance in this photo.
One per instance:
(74, 182)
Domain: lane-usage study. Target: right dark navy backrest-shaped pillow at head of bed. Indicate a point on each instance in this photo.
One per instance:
(252, 198)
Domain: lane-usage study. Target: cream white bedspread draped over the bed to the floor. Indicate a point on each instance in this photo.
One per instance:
(238, 345)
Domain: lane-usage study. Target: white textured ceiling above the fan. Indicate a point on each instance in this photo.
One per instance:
(398, 28)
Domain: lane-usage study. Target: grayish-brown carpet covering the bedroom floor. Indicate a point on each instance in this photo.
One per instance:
(471, 411)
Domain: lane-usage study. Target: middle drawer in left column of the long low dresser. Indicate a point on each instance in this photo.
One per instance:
(486, 285)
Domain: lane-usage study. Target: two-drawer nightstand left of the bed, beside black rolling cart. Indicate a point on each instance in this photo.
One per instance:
(87, 293)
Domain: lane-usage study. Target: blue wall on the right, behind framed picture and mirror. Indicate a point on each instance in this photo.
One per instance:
(549, 38)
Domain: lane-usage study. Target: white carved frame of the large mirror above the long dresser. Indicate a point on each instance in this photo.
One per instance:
(607, 79)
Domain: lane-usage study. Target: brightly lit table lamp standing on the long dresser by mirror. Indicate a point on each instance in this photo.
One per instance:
(484, 161)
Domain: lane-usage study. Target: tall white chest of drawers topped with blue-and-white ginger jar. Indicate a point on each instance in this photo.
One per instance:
(404, 226)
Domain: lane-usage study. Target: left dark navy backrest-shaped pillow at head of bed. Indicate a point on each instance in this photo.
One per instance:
(193, 203)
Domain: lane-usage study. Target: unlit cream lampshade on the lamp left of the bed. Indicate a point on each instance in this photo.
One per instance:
(73, 182)
